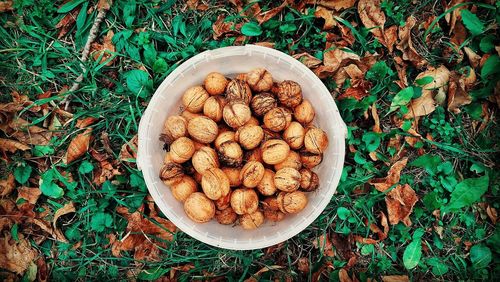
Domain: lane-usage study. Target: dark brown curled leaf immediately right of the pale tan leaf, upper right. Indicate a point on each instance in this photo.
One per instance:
(458, 89)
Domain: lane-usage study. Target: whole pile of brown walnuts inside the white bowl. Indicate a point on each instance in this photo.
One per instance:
(249, 142)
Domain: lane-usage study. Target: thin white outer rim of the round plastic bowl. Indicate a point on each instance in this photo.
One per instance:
(143, 163)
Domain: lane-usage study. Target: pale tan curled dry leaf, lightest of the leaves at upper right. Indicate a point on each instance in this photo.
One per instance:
(426, 103)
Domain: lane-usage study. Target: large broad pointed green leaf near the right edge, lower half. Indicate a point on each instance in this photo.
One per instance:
(467, 192)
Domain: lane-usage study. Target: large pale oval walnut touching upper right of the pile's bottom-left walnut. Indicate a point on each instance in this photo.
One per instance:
(215, 183)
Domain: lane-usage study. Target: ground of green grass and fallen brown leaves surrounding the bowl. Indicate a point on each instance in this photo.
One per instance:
(415, 81)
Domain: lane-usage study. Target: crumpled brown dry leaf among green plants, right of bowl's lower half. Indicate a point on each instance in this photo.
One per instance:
(400, 202)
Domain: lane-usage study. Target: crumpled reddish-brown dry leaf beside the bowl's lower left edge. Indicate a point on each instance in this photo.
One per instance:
(142, 234)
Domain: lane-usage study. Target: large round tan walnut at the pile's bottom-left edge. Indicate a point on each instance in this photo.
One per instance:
(199, 208)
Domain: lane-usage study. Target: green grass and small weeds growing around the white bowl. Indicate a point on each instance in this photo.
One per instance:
(156, 37)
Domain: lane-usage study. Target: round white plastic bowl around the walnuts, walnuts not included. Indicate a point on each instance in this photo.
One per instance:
(230, 61)
